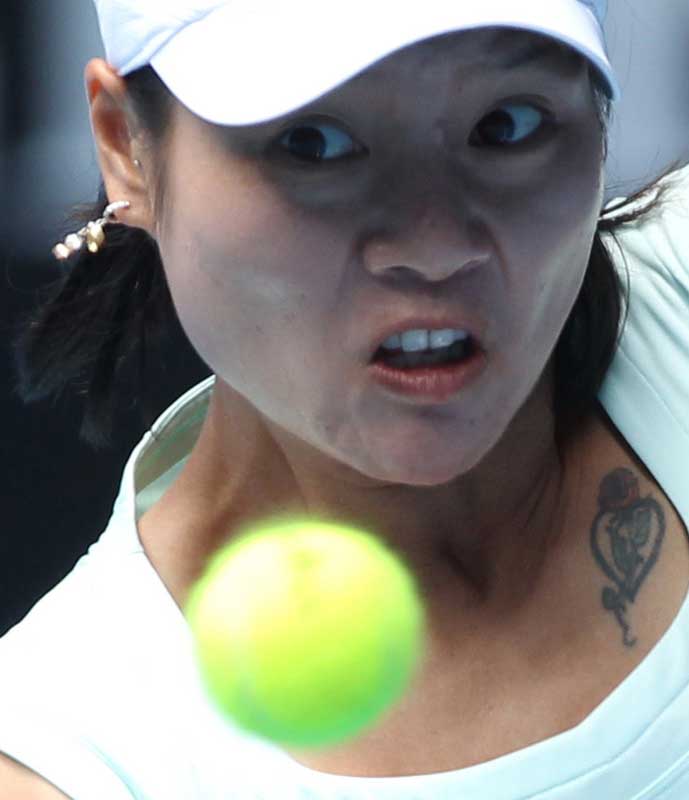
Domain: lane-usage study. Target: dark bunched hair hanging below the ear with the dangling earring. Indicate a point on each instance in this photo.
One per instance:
(104, 314)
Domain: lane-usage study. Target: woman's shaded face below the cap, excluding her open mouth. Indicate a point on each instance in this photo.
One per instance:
(433, 183)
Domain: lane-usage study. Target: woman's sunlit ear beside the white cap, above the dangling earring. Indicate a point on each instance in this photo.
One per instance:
(118, 146)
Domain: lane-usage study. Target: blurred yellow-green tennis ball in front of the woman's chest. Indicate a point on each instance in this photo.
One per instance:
(306, 632)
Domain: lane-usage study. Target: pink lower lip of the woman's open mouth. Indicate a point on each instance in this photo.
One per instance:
(436, 384)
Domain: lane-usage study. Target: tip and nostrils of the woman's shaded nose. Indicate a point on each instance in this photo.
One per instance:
(432, 243)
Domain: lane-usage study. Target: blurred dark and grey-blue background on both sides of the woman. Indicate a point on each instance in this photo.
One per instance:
(56, 492)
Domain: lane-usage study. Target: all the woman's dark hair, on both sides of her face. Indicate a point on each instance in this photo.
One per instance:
(107, 309)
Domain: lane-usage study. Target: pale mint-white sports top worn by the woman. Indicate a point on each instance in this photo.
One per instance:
(98, 687)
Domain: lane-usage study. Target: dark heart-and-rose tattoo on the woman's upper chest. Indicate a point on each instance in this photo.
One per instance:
(626, 537)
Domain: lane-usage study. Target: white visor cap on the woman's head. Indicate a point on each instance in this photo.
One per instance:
(241, 62)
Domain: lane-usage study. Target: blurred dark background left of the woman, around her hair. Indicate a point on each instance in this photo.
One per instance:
(56, 492)
